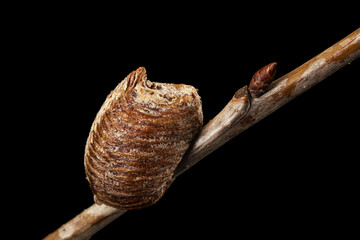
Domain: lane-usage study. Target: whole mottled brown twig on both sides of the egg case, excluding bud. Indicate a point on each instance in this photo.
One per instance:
(238, 115)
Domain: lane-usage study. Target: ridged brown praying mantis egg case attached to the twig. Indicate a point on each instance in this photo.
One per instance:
(138, 138)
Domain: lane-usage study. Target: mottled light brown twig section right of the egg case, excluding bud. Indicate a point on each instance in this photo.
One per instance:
(281, 91)
